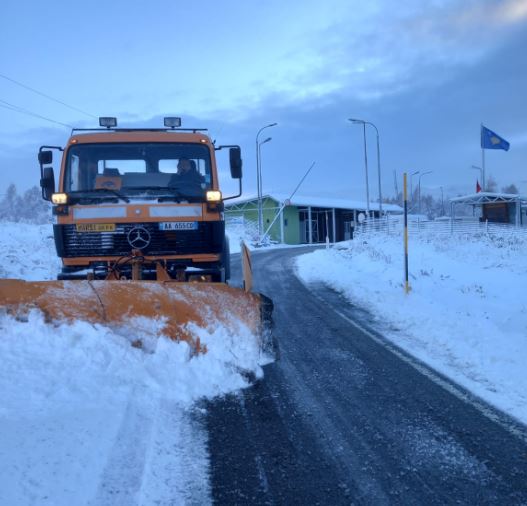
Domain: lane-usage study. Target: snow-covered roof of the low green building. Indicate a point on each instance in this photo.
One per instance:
(323, 202)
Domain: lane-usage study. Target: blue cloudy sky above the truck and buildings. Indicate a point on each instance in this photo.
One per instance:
(427, 74)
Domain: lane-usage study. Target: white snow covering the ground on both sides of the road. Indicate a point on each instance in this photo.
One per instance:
(87, 419)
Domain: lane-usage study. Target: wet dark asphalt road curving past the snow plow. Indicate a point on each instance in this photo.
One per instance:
(342, 419)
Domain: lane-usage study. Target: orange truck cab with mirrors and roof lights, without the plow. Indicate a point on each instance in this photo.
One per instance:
(144, 201)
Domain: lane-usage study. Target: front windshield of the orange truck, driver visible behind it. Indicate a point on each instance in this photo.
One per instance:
(138, 169)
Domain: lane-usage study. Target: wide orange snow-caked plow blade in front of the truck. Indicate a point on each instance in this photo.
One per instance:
(177, 305)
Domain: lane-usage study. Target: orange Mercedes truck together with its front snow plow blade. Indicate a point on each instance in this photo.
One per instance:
(139, 225)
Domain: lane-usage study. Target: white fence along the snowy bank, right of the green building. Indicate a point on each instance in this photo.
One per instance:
(391, 225)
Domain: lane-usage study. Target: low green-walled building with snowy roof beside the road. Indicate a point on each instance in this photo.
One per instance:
(304, 220)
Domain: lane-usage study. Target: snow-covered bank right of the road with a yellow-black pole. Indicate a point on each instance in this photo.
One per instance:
(466, 314)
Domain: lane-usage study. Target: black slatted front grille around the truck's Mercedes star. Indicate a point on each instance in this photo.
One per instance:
(180, 242)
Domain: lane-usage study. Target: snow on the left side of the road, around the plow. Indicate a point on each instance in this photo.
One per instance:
(86, 418)
